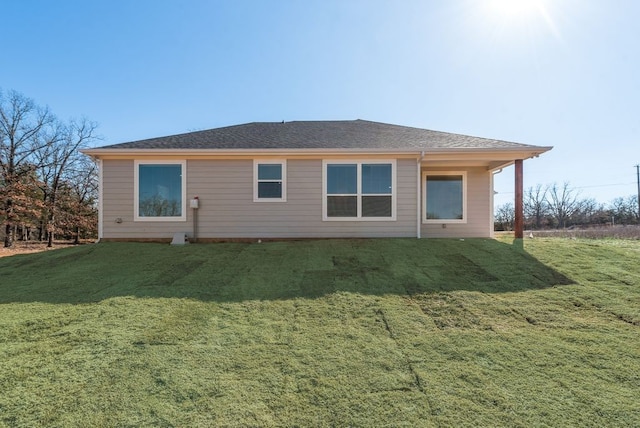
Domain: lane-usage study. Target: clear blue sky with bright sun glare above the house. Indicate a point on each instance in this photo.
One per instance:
(564, 73)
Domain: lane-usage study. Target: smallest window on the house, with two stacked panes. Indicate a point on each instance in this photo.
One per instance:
(269, 184)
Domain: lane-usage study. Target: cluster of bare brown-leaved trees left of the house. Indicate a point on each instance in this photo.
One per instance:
(47, 187)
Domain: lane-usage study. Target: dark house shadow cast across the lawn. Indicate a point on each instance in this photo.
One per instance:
(234, 272)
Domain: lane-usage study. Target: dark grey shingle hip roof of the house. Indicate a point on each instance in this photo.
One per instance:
(353, 134)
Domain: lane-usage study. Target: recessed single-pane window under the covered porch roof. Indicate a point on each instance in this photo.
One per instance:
(445, 197)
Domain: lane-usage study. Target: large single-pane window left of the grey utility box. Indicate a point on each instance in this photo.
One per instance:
(159, 191)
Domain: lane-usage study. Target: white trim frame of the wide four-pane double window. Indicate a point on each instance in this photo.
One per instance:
(359, 163)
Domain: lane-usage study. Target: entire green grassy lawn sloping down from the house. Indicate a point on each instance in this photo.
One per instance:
(397, 332)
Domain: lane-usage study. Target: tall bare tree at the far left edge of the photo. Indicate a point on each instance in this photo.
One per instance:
(22, 124)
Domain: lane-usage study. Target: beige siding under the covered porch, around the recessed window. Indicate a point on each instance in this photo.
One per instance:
(479, 211)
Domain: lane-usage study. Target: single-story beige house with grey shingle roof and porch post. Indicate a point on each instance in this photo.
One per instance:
(303, 179)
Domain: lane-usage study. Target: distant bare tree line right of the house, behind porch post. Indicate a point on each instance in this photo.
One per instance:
(560, 206)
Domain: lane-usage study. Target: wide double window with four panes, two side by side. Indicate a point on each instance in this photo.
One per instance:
(359, 190)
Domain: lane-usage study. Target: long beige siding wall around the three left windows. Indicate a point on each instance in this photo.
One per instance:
(227, 209)
